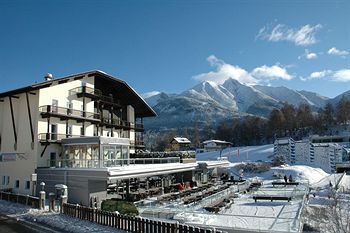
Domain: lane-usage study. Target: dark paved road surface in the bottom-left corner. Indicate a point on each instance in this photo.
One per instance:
(12, 225)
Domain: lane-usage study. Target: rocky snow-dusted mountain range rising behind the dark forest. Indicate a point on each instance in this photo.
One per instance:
(209, 102)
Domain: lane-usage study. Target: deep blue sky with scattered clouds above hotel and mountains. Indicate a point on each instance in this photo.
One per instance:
(172, 45)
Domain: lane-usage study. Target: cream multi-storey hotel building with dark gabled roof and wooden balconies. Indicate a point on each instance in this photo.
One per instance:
(35, 119)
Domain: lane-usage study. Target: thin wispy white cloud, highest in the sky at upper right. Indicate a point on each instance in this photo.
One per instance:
(305, 35)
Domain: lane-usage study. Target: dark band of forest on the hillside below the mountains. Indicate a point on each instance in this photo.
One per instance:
(289, 121)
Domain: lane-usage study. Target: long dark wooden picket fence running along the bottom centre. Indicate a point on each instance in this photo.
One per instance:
(128, 223)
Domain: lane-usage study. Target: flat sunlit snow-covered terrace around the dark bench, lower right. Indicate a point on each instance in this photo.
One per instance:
(244, 213)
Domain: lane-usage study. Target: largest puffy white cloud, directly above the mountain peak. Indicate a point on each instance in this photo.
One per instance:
(224, 71)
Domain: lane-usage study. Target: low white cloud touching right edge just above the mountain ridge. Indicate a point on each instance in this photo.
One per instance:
(337, 76)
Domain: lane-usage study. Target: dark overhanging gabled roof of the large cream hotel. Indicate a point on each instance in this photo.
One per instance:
(127, 93)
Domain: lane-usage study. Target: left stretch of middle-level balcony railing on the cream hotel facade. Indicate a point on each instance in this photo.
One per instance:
(68, 113)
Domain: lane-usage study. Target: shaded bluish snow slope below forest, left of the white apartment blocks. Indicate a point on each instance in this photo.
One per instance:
(240, 154)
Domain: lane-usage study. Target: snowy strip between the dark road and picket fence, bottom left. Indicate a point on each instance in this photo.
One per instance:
(58, 221)
